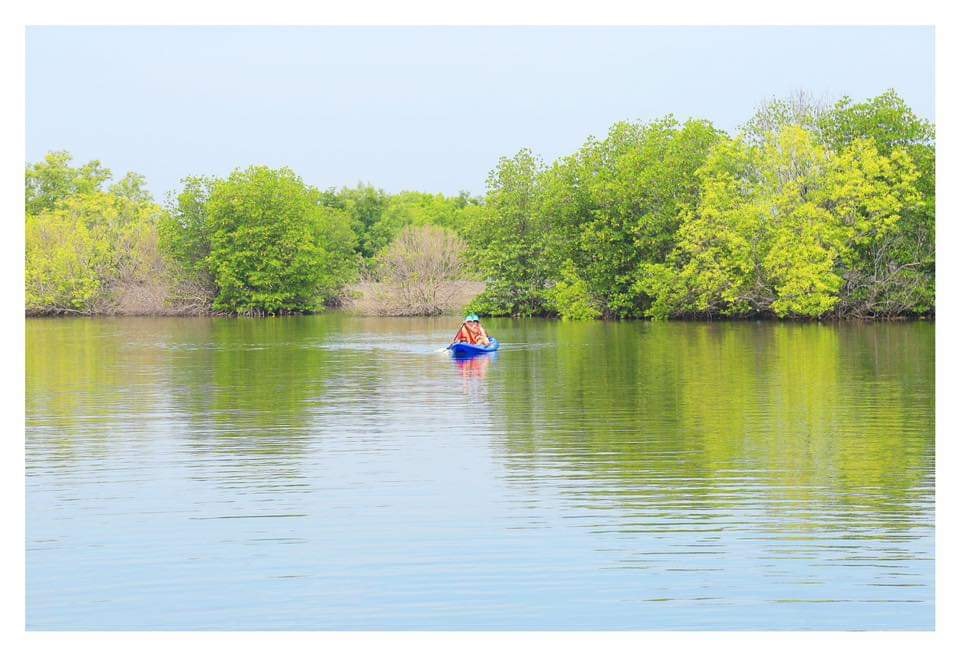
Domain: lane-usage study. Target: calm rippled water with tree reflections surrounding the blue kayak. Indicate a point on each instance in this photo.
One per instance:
(334, 473)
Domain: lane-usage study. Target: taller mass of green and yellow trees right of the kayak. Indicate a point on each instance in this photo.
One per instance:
(809, 212)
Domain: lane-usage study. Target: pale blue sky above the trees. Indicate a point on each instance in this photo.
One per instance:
(426, 109)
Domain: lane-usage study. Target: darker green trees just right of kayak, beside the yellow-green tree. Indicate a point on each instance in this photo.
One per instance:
(606, 209)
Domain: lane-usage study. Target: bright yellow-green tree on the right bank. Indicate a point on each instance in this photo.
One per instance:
(780, 226)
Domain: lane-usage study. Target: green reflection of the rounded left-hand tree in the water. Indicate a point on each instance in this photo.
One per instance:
(244, 393)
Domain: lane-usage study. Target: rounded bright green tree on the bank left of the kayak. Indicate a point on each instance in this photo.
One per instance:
(273, 246)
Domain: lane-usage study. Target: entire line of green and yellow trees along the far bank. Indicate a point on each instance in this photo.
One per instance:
(808, 212)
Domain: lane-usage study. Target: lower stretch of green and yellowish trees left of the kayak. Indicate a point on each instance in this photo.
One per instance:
(260, 241)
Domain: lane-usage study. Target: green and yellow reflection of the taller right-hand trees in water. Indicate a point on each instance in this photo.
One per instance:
(707, 402)
